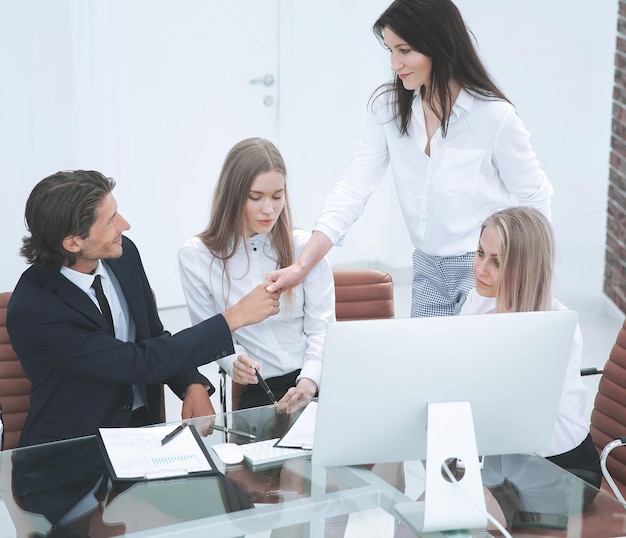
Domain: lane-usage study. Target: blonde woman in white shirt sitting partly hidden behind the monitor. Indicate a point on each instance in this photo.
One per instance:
(513, 269)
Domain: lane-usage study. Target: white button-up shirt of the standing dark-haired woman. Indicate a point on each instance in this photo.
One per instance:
(484, 164)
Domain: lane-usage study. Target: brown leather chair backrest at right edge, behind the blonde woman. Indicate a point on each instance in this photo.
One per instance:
(608, 417)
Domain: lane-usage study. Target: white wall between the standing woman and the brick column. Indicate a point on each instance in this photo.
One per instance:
(554, 60)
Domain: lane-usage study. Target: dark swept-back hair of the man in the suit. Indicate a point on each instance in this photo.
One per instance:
(61, 205)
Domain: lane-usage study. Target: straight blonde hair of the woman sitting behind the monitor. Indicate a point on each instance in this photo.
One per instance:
(527, 258)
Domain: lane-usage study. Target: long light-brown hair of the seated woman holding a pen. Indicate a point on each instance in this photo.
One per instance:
(226, 229)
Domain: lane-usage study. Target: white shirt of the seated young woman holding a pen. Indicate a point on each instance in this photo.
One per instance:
(290, 340)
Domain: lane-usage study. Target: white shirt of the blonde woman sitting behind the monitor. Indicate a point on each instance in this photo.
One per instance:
(571, 426)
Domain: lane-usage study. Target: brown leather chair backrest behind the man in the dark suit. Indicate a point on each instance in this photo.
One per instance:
(14, 387)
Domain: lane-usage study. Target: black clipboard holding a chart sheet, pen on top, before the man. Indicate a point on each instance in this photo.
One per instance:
(136, 454)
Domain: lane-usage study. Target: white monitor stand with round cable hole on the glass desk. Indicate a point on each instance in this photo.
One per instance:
(448, 505)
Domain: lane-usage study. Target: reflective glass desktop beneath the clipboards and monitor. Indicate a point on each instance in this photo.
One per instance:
(66, 483)
